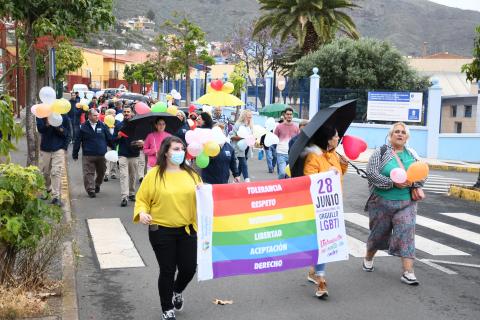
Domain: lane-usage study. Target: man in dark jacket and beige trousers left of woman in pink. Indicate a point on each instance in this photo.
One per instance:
(128, 156)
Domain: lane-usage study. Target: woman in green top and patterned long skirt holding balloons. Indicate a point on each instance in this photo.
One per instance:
(391, 209)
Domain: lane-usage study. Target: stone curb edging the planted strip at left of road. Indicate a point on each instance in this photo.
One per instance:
(69, 293)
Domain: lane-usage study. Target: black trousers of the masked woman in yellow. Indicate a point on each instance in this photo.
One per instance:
(175, 250)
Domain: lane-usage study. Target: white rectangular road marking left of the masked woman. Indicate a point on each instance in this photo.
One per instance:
(113, 245)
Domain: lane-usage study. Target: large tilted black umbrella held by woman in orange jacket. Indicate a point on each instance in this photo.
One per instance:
(339, 115)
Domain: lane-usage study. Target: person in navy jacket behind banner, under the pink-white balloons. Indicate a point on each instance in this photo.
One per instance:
(219, 167)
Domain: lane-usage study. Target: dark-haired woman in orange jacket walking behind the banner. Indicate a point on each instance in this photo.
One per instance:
(321, 157)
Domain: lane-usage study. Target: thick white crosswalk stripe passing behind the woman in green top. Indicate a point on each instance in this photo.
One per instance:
(421, 243)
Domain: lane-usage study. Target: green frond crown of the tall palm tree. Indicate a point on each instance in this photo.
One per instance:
(311, 22)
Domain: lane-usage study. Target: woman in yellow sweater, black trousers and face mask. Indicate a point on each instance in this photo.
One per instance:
(166, 203)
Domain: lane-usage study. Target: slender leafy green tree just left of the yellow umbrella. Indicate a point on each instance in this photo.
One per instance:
(187, 47)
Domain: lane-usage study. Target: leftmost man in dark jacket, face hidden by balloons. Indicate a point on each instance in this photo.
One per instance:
(54, 142)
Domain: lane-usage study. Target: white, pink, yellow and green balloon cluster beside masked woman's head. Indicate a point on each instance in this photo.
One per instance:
(204, 143)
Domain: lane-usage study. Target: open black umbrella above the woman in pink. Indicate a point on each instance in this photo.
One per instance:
(141, 125)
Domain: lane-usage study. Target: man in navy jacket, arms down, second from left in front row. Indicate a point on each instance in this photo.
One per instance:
(94, 137)
